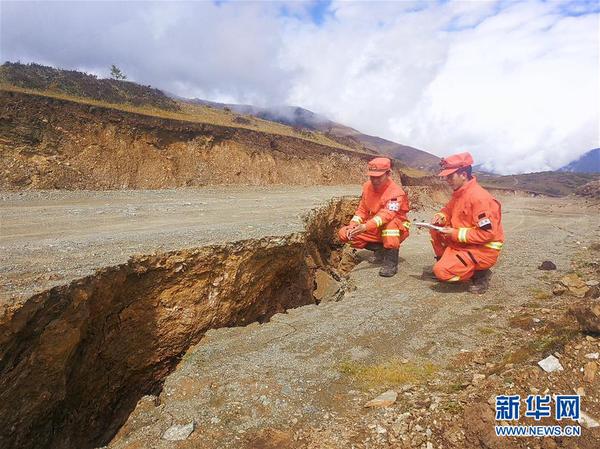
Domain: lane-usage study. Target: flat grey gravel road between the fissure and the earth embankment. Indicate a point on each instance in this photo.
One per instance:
(50, 238)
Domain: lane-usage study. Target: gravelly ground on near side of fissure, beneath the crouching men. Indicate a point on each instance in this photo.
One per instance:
(302, 379)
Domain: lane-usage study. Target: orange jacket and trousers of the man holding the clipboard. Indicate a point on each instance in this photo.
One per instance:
(477, 238)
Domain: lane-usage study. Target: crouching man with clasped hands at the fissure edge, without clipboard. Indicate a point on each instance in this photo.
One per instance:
(379, 224)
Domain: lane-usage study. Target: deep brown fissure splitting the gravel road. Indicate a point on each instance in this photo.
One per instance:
(75, 359)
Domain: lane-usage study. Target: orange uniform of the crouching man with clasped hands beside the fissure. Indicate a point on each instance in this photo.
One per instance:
(384, 213)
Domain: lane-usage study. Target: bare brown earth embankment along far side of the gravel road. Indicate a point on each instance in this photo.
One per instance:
(51, 143)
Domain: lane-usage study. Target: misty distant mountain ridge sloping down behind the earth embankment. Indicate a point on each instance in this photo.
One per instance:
(303, 118)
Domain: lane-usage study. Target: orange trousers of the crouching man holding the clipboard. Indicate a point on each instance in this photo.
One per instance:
(457, 264)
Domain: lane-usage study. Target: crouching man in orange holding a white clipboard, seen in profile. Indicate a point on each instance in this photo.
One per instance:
(472, 234)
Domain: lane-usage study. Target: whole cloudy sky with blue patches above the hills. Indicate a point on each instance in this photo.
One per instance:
(516, 83)
